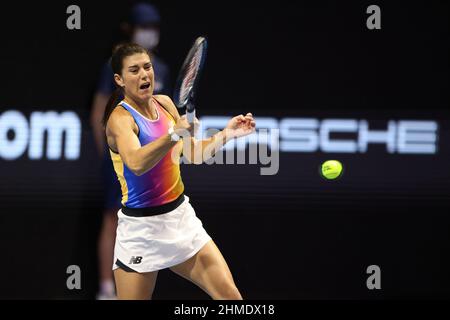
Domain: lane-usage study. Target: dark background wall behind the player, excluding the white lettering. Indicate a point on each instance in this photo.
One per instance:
(292, 235)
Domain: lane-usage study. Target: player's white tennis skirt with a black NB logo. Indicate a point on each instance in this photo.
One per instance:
(146, 244)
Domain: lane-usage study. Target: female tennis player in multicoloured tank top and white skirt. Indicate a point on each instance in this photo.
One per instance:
(158, 227)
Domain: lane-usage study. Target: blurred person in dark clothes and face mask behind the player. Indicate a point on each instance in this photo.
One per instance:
(143, 28)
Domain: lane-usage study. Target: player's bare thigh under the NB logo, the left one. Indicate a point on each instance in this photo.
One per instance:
(133, 285)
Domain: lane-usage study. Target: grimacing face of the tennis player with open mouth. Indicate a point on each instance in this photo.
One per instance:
(138, 76)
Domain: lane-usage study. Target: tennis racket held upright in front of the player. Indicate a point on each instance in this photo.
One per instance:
(188, 77)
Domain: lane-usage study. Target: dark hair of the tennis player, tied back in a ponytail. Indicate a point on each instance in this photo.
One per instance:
(120, 52)
